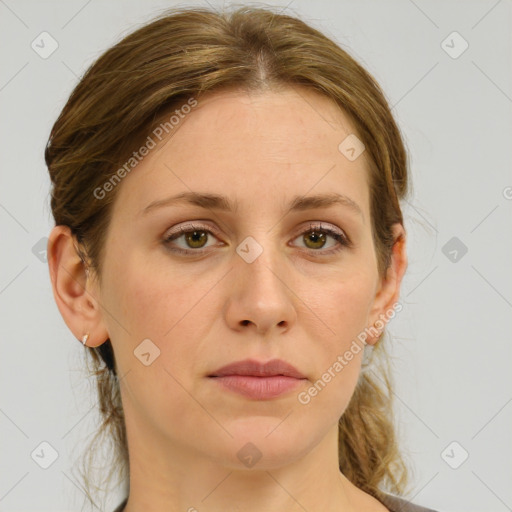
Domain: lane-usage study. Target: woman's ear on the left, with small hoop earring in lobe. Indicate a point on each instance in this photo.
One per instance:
(73, 289)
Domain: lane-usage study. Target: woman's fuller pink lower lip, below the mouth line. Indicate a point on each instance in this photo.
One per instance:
(259, 388)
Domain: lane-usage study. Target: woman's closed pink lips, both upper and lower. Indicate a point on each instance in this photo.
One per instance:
(258, 380)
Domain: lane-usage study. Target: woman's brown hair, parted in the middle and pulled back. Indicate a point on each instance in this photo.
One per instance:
(186, 53)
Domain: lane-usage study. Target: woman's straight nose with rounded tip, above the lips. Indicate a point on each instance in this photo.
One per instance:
(261, 296)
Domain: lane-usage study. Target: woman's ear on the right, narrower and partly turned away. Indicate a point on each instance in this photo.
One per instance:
(388, 289)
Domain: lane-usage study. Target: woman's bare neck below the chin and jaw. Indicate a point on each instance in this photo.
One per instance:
(181, 479)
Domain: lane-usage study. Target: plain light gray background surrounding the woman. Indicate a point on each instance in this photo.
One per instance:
(451, 343)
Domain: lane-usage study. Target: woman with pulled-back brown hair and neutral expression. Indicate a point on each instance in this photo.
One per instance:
(229, 246)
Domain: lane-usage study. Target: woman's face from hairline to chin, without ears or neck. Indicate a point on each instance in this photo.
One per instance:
(252, 283)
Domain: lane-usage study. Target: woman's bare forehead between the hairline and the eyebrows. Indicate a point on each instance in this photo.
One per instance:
(262, 145)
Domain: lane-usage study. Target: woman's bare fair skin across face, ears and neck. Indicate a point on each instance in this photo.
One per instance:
(294, 302)
